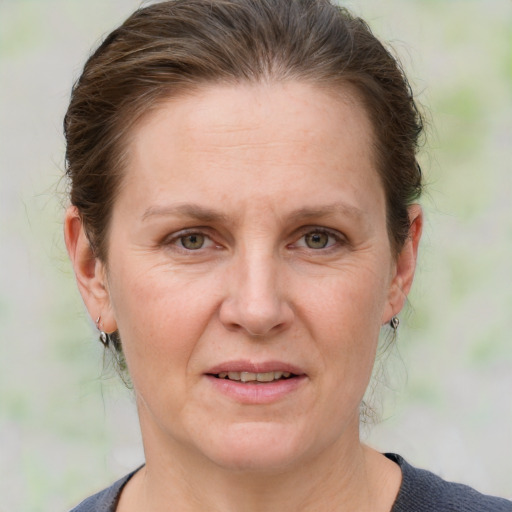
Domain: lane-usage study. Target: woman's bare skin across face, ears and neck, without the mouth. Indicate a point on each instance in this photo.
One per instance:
(258, 173)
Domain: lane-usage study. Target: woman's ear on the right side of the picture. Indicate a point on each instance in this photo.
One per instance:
(405, 266)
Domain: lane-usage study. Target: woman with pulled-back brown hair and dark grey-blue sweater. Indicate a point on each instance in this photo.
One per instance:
(243, 225)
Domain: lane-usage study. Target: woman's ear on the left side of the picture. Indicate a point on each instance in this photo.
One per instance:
(90, 272)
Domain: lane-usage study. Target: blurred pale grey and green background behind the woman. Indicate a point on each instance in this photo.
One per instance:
(67, 428)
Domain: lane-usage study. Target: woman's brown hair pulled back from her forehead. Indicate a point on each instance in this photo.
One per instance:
(175, 47)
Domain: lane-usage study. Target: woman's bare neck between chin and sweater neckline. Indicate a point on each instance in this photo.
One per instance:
(345, 476)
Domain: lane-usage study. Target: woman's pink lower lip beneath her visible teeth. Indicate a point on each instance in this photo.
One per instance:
(256, 393)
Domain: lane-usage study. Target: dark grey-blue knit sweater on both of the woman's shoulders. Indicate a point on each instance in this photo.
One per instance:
(421, 491)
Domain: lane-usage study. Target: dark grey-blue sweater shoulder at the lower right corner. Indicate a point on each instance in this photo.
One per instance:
(422, 491)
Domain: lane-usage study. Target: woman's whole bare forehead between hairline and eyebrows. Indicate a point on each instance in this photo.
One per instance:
(254, 139)
